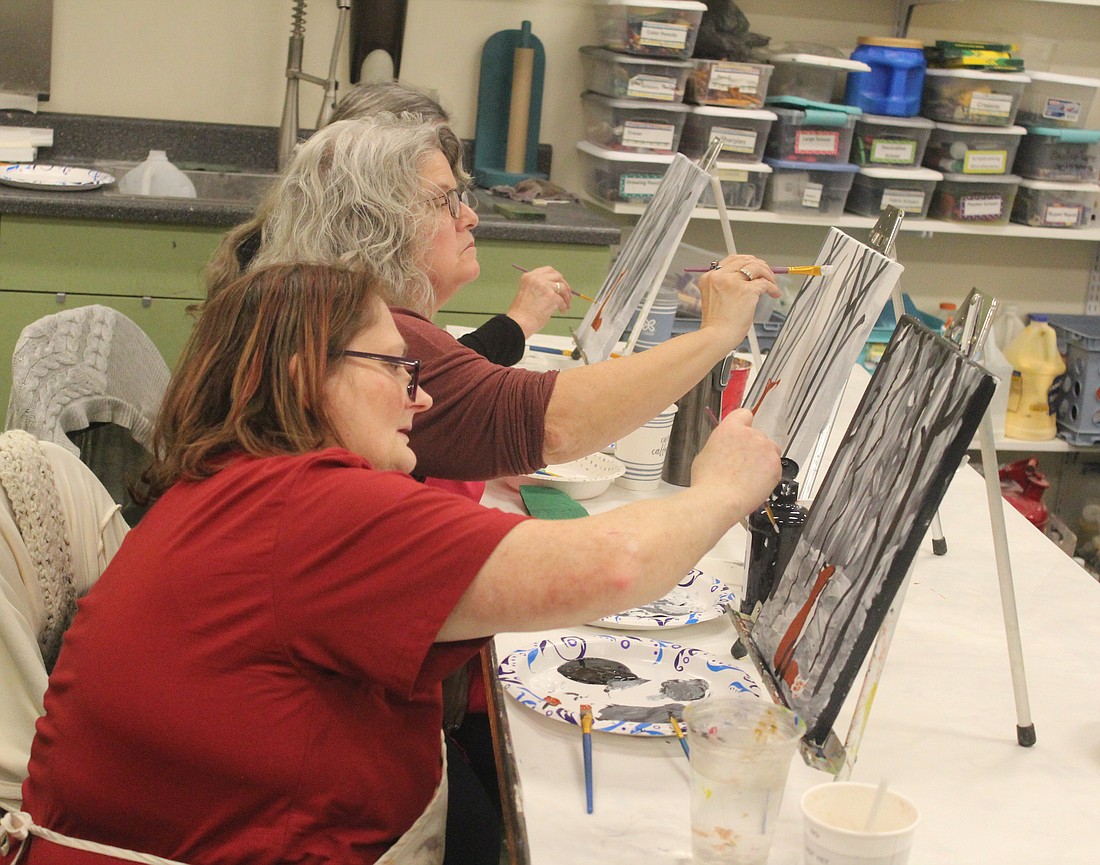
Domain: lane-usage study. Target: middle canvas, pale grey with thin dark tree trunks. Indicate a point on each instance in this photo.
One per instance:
(826, 331)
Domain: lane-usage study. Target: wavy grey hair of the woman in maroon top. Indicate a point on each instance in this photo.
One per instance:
(354, 195)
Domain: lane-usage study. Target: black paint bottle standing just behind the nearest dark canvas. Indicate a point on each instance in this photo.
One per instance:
(769, 550)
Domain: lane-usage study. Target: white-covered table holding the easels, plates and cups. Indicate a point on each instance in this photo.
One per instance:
(942, 729)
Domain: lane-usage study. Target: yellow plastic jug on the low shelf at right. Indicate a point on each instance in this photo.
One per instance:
(1037, 366)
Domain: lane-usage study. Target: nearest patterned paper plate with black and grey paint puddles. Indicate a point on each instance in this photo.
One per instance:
(631, 683)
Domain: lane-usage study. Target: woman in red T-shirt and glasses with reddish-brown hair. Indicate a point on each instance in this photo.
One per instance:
(257, 675)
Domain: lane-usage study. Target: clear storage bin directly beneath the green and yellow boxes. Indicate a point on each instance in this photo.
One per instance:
(973, 97)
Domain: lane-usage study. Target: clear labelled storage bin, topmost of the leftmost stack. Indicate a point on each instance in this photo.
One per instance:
(655, 29)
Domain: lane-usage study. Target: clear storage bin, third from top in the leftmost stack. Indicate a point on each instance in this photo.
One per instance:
(633, 125)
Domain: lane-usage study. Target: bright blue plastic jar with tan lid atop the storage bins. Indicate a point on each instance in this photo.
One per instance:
(896, 81)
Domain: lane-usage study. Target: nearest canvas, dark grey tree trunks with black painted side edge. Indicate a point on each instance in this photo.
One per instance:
(893, 467)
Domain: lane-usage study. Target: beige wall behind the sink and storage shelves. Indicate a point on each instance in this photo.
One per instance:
(224, 61)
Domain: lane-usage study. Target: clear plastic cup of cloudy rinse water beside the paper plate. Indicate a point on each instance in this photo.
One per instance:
(741, 755)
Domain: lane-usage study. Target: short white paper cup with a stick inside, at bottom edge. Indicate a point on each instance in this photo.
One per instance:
(835, 831)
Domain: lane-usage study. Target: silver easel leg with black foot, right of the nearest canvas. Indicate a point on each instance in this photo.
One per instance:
(1026, 730)
